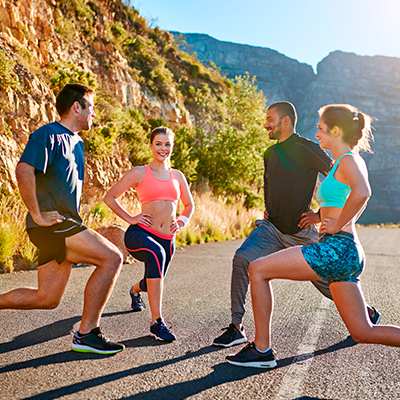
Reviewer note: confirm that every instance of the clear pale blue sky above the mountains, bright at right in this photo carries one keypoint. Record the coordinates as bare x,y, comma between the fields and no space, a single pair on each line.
306,30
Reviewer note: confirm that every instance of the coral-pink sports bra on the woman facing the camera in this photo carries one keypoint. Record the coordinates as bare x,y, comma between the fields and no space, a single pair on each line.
152,188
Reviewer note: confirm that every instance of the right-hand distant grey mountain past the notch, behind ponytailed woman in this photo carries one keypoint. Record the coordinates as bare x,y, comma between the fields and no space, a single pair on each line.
372,84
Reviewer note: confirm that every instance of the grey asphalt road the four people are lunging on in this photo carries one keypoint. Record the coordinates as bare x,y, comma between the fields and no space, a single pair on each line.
316,357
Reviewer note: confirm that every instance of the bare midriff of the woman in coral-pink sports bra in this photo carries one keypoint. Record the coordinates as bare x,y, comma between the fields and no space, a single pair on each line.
163,212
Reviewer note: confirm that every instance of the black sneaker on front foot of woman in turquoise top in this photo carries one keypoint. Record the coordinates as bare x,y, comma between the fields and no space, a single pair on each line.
249,356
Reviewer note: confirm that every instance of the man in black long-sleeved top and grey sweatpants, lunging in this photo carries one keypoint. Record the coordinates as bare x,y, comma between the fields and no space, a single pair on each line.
291,171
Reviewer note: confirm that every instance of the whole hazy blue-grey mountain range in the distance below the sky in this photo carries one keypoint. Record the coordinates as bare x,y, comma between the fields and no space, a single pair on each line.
372,84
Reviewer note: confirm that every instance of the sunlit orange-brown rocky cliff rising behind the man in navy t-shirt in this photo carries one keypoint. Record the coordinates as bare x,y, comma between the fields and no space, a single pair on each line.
30,36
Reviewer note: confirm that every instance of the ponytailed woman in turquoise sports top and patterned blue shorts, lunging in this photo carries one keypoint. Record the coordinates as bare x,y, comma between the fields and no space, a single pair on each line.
338,258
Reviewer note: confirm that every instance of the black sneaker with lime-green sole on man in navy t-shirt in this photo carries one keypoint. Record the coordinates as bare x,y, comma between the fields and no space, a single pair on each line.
95,342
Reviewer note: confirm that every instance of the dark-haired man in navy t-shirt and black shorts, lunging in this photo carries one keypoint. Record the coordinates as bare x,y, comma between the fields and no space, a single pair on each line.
50,178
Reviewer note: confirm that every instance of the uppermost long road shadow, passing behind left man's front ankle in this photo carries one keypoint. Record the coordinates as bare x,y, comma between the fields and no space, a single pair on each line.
46,333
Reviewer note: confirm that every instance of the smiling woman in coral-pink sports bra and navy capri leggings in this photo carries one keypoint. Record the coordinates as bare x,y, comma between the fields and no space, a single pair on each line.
151,235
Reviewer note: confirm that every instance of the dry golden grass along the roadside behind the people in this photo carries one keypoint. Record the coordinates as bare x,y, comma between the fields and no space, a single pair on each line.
215,219
